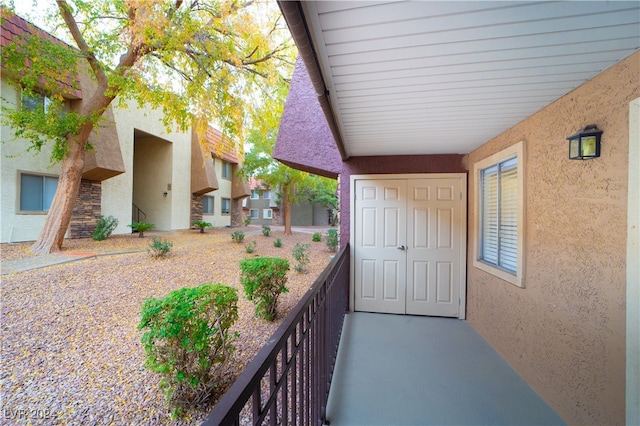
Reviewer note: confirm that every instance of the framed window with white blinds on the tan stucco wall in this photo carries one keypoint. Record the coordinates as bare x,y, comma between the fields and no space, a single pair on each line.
499,183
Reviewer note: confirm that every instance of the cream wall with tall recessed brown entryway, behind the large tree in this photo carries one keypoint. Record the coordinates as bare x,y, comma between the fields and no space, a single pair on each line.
162,161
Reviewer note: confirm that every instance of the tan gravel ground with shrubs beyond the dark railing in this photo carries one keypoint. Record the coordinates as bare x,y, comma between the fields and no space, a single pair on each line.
71,351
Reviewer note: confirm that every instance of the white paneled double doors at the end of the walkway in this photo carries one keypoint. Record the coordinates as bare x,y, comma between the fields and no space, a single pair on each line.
409,245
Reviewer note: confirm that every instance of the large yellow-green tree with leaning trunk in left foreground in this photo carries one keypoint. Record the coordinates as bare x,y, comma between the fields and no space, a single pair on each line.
199,61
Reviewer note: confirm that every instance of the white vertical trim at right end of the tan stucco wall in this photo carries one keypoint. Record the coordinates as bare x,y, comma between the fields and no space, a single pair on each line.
633,269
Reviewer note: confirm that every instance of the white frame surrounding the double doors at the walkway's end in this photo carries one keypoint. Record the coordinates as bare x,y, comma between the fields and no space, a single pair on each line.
463,225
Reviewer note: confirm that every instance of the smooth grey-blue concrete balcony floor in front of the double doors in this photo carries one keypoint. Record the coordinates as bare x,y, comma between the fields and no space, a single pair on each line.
409,370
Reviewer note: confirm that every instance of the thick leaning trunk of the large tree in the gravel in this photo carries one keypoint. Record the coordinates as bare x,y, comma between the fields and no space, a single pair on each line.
59,215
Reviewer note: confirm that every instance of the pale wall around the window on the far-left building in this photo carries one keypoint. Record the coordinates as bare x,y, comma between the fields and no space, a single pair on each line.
14,158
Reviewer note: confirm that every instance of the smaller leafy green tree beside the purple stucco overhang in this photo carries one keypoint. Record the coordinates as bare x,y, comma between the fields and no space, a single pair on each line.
293,185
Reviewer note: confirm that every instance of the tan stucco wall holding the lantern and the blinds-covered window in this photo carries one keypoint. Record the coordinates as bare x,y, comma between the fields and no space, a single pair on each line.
565,331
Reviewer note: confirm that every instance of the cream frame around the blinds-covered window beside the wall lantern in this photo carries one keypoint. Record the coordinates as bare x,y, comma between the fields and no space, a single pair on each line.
518,151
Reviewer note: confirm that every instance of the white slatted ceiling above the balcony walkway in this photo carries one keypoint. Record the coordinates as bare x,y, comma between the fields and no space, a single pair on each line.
432,77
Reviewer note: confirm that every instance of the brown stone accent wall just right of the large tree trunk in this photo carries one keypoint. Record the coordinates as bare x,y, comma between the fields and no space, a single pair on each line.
86,210
